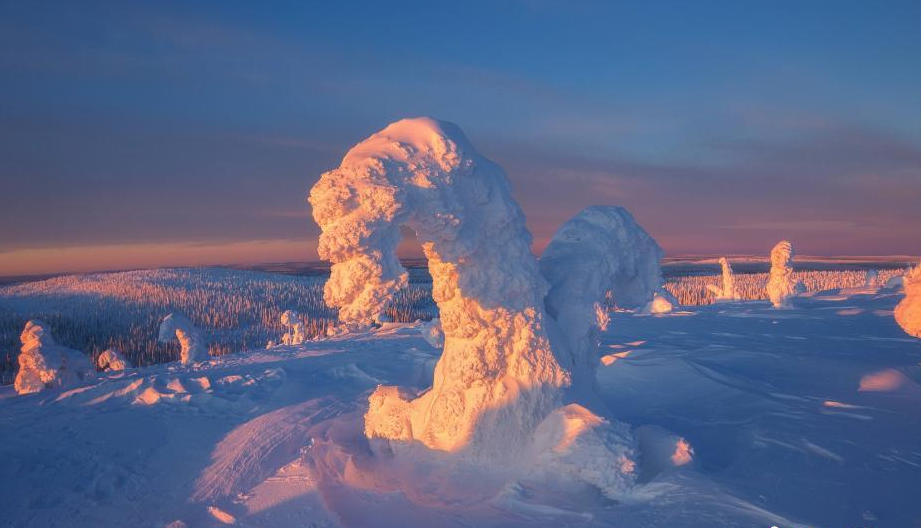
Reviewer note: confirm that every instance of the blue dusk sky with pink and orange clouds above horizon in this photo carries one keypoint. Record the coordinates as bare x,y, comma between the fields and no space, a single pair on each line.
143,134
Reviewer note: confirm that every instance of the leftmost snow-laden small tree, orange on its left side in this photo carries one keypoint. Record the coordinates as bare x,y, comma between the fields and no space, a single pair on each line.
45,364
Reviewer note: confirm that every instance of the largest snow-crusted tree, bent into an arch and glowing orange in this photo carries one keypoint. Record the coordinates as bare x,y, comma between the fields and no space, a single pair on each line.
497,377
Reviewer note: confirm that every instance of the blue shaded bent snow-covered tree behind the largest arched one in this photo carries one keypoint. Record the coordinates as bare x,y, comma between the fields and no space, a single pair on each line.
600,250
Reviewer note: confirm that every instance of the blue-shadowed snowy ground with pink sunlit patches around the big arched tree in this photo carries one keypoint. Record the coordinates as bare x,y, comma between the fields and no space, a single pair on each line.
802,417
